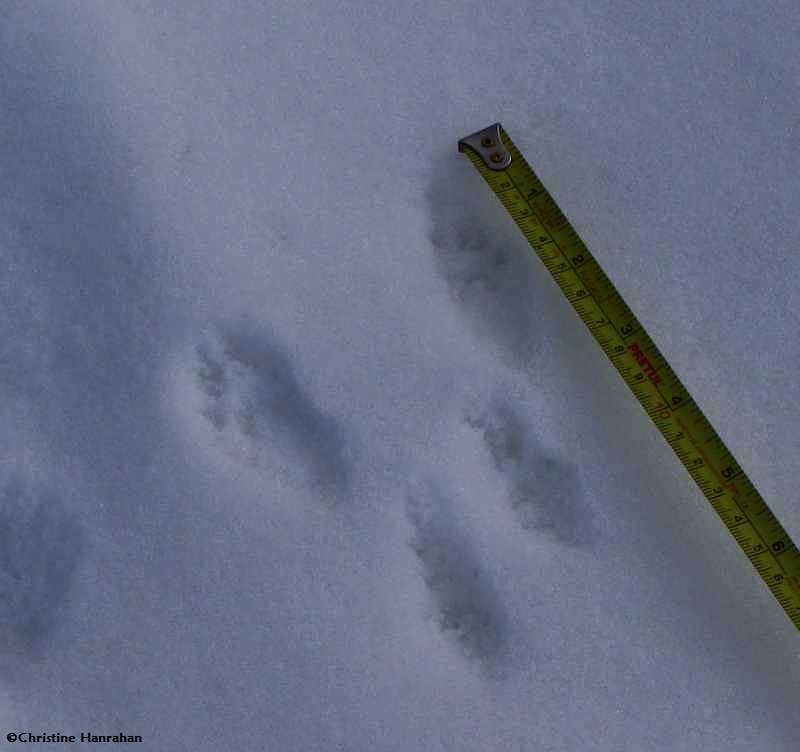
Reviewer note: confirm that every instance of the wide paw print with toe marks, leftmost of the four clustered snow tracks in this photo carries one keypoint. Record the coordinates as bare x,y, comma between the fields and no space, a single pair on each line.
252,396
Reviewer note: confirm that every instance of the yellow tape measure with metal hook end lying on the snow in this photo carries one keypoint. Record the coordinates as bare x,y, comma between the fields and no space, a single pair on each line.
644,369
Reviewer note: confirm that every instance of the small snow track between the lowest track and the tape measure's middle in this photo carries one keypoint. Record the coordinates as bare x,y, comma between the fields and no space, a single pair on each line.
544,488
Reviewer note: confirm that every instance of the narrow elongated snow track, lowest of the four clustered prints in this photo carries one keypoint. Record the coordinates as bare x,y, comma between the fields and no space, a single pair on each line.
467,604
